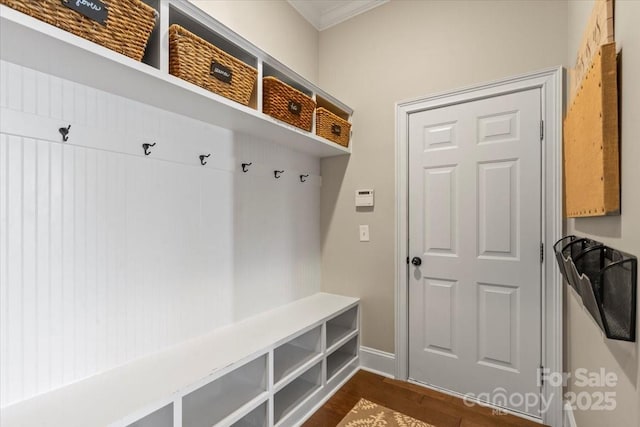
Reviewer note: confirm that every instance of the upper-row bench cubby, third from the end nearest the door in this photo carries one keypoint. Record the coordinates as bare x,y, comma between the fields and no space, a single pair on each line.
213,402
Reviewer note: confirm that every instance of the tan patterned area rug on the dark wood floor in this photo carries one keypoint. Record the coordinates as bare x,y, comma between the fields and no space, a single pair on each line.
369,414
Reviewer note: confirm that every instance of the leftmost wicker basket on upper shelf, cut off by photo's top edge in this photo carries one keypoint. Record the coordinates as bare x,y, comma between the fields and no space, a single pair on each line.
126,30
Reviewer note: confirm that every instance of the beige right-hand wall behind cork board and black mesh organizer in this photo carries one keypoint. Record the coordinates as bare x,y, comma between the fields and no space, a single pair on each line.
585,345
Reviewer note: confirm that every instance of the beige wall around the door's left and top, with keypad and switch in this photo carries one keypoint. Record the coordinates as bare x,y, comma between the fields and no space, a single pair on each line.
407,49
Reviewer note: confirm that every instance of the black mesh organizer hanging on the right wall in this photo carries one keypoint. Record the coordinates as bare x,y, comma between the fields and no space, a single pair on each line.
606,280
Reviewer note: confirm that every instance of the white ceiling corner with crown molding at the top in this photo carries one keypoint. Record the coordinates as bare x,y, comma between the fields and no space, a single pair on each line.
323,14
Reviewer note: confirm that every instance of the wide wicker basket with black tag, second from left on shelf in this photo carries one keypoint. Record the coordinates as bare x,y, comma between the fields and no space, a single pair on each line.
201,63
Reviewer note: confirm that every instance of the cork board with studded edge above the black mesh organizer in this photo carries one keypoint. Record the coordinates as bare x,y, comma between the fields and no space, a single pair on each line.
591,160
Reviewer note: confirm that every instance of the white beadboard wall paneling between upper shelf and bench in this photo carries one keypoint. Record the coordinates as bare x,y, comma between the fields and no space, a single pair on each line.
107,255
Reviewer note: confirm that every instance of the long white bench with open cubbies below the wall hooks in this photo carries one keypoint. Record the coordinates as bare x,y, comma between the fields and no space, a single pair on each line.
272,369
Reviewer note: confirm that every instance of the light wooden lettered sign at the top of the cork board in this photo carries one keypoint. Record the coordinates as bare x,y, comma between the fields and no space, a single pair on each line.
599,31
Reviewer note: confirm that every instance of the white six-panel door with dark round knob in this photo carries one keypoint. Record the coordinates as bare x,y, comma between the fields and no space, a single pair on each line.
475,233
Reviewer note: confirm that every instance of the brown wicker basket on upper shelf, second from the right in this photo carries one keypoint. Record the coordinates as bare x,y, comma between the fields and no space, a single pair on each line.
285,103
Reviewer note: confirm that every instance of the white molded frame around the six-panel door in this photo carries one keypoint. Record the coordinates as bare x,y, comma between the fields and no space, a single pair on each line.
550,83
